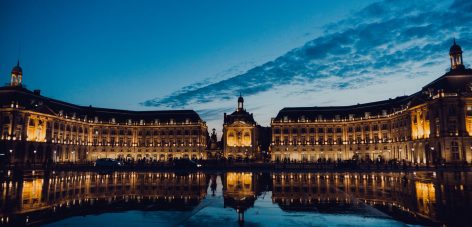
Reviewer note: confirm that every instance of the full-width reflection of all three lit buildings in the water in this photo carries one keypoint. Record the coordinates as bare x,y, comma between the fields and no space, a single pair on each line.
42,197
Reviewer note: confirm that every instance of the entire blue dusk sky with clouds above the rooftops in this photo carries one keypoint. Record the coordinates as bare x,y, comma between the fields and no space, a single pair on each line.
148,55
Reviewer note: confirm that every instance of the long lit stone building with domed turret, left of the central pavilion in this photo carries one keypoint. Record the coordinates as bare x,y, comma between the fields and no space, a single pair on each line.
37,129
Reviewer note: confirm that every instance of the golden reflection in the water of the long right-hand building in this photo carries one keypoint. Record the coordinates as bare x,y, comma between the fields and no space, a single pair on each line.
440,197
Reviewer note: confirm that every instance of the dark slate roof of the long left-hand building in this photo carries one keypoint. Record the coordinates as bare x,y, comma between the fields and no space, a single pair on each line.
35,102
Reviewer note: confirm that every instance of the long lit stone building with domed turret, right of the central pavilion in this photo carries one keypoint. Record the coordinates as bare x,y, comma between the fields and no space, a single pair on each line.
430,127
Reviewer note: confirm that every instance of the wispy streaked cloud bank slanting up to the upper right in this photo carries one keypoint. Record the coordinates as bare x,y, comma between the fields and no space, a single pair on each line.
385,40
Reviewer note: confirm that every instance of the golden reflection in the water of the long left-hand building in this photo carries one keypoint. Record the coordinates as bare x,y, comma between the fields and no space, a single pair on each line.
77,193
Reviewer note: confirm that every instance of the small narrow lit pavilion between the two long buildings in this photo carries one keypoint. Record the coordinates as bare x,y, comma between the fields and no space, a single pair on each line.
240,134
